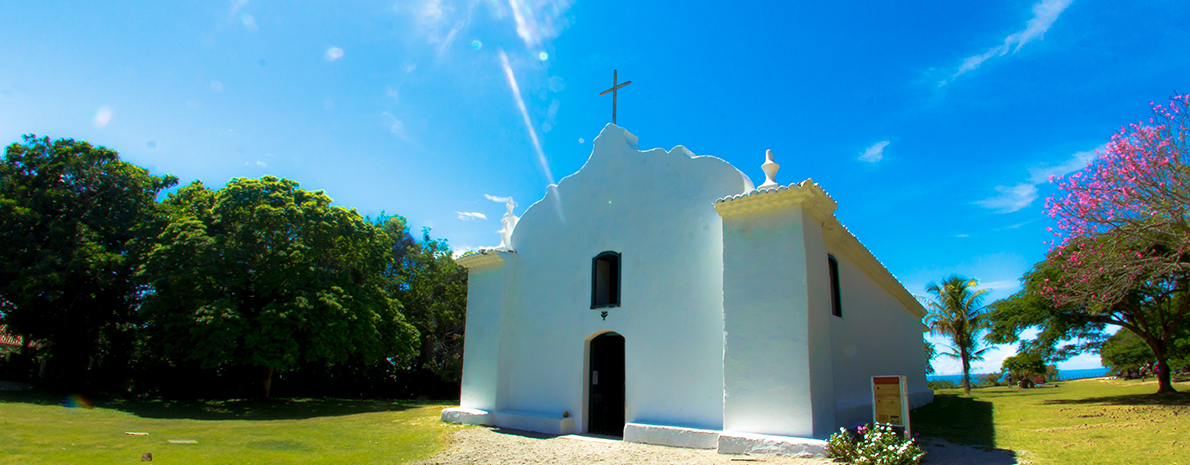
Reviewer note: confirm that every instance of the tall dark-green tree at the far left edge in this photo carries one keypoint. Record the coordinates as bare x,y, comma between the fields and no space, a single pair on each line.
76,223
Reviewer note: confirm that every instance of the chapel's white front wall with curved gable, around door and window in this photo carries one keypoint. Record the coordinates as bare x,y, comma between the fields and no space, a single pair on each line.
655,209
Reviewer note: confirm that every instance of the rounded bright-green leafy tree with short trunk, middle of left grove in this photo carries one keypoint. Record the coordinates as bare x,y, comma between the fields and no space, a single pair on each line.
267,275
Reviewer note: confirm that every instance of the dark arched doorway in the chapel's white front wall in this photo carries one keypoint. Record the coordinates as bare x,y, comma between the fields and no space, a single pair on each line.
605,382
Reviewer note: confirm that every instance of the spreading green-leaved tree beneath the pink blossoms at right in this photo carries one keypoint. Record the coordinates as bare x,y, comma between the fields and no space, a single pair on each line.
1064,299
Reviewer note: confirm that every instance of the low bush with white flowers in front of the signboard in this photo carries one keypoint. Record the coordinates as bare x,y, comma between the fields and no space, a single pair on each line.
874,445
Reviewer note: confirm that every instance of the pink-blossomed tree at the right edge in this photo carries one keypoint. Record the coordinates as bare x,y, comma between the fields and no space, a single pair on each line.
1122,254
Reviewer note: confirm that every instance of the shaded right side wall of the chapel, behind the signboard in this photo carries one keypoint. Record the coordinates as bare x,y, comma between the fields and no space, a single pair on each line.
876,336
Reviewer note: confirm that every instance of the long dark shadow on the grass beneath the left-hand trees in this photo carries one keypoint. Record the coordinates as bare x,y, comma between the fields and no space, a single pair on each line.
222,410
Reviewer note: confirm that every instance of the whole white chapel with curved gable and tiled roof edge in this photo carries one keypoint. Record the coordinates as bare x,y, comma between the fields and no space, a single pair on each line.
662,298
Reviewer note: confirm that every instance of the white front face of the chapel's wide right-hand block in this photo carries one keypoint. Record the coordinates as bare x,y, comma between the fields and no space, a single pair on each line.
767,374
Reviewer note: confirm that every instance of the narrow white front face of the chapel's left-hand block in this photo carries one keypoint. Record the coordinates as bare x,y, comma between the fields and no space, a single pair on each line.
485,290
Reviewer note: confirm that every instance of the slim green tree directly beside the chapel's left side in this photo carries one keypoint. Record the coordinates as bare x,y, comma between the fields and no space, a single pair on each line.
433,290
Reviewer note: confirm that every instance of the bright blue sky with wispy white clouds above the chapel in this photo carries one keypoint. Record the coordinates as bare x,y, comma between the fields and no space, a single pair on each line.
935,125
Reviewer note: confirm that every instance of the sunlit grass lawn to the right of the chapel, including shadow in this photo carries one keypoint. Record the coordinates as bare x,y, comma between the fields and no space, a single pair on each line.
1091,422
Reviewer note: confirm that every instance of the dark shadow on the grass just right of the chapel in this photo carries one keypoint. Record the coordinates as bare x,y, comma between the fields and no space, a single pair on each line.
956,419
